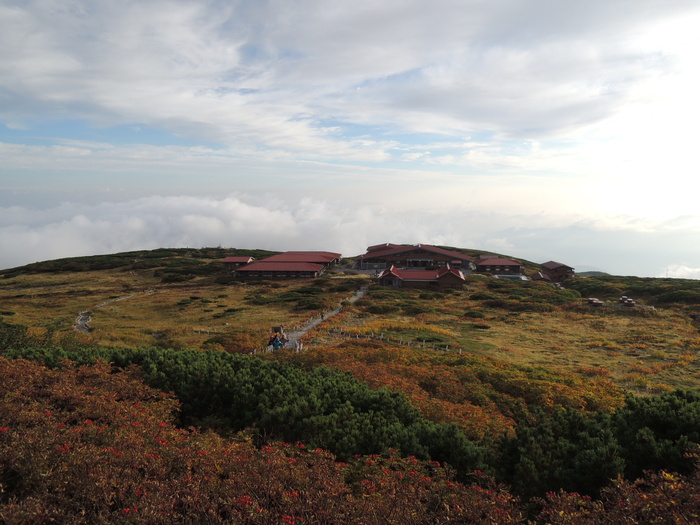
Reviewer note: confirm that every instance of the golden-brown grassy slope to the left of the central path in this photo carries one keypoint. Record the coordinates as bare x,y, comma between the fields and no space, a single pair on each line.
130,305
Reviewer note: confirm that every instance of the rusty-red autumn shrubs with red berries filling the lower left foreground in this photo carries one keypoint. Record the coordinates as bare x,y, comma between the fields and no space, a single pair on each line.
87,445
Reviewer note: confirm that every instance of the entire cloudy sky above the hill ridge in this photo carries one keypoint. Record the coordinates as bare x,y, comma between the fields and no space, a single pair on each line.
539,129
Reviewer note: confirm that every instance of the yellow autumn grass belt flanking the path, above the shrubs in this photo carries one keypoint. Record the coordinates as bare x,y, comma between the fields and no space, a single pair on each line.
132,308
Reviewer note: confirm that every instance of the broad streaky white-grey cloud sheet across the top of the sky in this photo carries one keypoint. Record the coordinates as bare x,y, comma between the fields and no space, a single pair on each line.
261,76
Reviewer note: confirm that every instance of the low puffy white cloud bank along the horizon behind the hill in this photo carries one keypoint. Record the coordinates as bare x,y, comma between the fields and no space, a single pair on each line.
267,222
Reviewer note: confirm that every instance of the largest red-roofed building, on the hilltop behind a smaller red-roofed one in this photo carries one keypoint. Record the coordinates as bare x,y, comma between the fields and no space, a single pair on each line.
419,256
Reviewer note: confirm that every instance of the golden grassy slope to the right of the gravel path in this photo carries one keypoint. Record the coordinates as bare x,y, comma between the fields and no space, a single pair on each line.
640,351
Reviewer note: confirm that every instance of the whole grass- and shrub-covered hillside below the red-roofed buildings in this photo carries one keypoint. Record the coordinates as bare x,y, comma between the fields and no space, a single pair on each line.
142,387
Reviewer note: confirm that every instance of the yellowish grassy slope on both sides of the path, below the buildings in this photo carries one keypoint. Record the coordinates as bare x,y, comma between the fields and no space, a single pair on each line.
529,324
